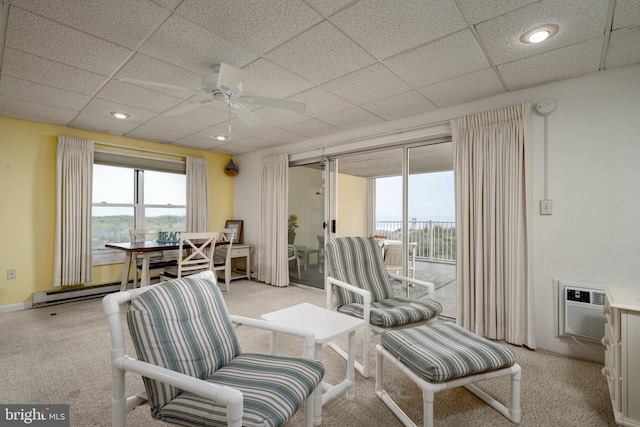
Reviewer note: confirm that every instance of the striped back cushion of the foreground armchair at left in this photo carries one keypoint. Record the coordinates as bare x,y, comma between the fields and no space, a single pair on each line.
182,325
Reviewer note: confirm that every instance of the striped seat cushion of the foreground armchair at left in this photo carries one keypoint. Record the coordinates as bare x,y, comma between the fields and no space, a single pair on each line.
273,388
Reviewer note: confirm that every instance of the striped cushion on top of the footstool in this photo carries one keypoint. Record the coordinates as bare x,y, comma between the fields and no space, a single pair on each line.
446,351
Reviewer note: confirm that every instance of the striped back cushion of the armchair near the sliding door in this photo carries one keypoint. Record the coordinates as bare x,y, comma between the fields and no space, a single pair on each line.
358,261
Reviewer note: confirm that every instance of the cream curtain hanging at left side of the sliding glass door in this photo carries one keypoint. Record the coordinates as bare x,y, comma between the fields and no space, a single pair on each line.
273,256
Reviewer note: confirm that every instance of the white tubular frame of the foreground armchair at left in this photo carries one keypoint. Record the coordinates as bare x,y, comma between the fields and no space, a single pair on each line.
121,362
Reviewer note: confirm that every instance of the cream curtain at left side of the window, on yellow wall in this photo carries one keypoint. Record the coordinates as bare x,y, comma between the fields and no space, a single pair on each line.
74,181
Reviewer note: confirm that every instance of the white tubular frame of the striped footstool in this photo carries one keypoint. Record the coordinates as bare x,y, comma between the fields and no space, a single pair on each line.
513,413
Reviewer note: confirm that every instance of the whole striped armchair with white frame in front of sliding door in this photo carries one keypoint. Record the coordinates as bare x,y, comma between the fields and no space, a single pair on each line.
358,284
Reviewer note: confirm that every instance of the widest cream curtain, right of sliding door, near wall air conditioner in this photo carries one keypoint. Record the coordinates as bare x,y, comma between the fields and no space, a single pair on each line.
492,185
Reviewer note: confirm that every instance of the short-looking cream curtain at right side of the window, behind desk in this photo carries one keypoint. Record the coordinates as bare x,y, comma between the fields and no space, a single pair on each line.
197,194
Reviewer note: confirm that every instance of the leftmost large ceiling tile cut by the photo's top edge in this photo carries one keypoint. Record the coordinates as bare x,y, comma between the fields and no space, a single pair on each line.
125,22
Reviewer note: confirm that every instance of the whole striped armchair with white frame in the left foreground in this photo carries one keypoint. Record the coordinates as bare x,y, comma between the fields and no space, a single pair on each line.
193,369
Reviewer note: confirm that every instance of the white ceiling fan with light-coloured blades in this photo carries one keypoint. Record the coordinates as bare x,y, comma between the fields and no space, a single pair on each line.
224,84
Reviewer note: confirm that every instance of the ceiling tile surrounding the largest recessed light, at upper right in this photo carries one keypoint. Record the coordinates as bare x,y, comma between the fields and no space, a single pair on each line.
578,21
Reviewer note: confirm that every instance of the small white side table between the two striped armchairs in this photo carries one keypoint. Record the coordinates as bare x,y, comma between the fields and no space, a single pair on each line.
327,325
